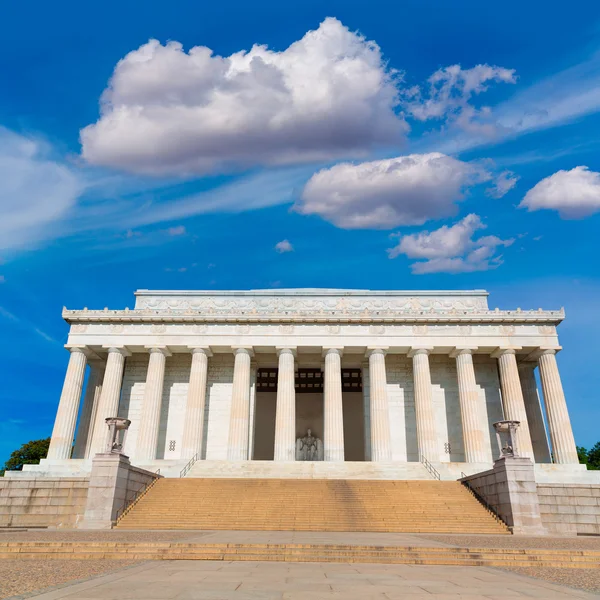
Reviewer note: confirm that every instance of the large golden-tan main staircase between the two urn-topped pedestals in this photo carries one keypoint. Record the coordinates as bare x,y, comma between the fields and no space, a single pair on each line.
310,505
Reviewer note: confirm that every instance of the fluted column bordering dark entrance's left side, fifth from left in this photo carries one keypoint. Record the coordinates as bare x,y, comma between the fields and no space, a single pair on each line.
239,422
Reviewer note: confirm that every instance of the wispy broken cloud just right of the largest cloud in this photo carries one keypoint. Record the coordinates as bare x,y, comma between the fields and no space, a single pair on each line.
449,96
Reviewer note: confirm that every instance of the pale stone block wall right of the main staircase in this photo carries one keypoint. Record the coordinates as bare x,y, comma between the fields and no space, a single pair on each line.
569,509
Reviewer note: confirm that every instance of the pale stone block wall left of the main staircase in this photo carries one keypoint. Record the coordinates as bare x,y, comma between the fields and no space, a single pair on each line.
42,502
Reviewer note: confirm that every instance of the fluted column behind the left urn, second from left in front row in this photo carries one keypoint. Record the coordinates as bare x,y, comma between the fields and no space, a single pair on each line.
109,398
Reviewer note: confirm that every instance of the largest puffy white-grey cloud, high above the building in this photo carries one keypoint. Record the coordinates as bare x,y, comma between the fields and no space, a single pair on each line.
329,95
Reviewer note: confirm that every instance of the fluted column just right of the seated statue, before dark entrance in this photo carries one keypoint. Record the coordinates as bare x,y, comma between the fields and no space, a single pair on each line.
333,414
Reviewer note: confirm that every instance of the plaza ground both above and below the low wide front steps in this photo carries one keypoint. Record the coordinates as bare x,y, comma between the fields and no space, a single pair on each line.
121,579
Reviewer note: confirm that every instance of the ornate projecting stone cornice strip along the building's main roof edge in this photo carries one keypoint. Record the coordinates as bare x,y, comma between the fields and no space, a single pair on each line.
431,316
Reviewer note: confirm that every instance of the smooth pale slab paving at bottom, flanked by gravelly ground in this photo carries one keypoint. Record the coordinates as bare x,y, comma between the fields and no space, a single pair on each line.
216,580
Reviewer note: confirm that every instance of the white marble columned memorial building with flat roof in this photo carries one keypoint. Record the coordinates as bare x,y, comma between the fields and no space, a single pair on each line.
383,378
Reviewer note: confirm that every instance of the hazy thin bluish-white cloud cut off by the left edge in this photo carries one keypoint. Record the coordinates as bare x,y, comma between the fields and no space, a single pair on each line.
34,190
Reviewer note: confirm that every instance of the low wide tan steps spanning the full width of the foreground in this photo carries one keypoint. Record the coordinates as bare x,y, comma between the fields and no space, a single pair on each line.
493,557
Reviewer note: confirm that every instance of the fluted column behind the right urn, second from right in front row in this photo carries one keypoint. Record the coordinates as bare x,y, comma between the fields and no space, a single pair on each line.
512,399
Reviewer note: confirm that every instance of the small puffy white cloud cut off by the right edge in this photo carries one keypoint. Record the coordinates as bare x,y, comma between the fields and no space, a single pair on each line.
574,194
